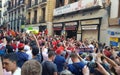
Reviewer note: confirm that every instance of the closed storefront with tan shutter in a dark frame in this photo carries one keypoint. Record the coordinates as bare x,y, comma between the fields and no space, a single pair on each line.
90,29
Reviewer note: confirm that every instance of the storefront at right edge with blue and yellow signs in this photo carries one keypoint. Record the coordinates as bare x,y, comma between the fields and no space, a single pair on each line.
114,32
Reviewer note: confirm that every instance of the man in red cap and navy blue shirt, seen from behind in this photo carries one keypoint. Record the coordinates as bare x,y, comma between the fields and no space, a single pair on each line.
22,56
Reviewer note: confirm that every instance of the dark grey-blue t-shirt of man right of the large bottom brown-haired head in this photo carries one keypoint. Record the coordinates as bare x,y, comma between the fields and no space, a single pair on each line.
49,68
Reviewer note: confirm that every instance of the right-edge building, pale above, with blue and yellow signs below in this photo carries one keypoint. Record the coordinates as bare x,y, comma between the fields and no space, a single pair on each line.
114,24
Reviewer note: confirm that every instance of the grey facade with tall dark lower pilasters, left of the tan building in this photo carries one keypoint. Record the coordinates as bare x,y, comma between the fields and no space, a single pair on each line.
16,14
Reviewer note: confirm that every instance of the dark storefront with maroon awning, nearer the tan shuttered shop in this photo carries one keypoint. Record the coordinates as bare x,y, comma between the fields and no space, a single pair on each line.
71,29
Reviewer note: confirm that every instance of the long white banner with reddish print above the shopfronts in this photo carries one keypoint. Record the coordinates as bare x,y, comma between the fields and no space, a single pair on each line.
82,4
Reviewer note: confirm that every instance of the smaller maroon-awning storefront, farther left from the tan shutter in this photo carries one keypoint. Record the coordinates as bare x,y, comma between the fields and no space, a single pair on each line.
57,28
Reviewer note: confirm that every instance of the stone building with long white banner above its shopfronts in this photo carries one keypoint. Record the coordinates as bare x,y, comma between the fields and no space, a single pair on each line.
82,19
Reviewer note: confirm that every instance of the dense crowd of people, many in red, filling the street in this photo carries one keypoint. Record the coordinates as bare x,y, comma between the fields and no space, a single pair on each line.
37,54
